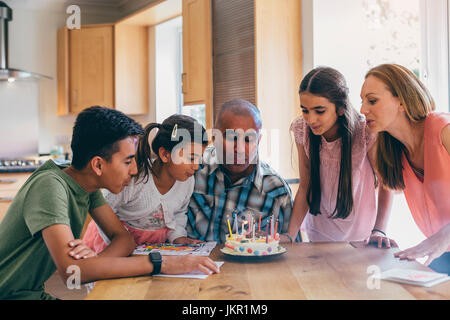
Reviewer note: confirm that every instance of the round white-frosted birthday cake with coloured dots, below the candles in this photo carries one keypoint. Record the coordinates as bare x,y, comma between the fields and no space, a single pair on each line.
259,245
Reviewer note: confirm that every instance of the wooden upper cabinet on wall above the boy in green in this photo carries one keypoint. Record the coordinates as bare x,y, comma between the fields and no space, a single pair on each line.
104,65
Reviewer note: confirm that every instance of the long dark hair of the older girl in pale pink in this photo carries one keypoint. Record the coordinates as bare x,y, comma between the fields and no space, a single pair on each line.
330,84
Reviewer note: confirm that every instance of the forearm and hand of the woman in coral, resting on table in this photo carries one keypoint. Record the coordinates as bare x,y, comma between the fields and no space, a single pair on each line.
433,247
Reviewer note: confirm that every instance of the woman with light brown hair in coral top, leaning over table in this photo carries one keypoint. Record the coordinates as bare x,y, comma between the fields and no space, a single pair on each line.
413,154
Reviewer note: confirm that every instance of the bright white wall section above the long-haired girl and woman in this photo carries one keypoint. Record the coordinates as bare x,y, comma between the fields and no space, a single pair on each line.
353,36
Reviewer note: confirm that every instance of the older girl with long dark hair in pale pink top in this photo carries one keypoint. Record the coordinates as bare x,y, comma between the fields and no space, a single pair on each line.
337,182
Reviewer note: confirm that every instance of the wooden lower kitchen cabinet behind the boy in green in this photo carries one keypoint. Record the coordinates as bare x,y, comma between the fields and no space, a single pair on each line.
10,183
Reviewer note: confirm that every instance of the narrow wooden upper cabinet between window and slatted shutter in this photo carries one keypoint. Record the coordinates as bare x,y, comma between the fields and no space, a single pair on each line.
197,55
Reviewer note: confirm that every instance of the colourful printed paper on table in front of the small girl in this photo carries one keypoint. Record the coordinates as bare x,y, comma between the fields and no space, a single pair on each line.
168,249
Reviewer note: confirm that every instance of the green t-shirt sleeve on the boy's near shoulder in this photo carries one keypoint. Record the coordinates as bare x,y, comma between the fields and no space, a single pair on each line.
46,204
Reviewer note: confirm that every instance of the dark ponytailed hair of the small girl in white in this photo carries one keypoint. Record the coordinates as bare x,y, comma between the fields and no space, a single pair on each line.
174,132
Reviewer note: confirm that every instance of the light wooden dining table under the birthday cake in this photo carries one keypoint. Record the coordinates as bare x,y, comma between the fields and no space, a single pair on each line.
338,270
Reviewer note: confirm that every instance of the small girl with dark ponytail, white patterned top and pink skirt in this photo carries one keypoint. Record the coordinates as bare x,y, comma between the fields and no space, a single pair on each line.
153,206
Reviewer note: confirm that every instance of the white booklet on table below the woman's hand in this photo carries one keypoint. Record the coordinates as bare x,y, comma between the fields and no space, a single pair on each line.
414,277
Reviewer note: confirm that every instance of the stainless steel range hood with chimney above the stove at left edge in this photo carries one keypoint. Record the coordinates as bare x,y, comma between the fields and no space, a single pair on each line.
6,73
